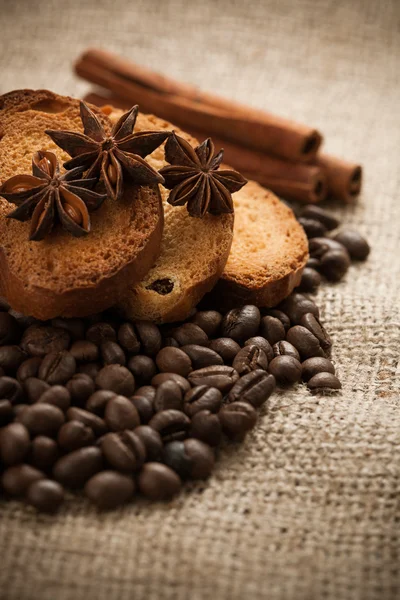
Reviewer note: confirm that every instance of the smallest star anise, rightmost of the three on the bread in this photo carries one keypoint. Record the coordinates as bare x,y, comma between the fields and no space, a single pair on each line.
195,180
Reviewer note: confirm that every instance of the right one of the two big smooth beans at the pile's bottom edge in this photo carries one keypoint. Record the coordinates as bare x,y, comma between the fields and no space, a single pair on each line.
158,482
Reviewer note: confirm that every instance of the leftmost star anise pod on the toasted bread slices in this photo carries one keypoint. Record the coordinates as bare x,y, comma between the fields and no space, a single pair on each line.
48,196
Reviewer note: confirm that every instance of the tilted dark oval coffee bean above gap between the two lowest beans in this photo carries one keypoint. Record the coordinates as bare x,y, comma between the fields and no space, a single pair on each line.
76,468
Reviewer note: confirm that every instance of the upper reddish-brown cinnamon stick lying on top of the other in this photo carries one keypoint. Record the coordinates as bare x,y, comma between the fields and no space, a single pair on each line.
175,101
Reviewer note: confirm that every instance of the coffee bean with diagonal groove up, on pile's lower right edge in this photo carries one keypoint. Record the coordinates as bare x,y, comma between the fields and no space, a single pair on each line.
254,387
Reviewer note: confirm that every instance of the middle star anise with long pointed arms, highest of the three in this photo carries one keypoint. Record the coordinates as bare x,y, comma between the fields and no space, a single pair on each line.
111,155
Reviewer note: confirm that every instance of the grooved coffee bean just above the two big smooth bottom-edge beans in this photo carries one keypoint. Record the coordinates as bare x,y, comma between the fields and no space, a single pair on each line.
124,450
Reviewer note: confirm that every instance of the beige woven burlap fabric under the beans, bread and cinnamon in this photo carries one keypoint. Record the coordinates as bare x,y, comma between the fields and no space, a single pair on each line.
308,508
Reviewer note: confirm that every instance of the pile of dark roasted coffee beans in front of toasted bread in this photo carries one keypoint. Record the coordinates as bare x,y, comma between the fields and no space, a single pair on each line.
119,408
